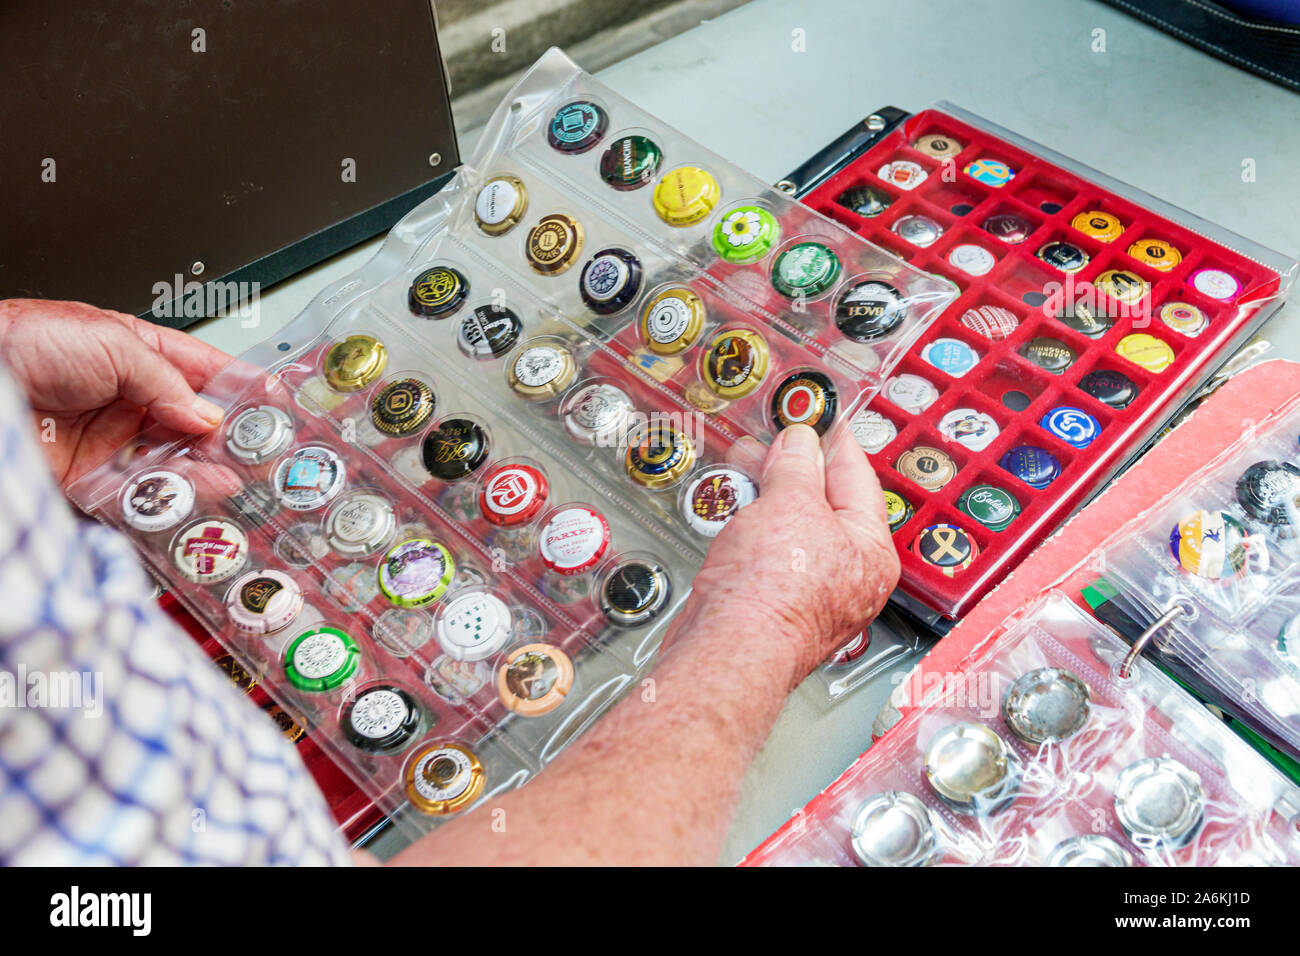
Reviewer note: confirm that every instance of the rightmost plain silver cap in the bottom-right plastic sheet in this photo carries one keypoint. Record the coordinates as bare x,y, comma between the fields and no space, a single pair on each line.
1159,802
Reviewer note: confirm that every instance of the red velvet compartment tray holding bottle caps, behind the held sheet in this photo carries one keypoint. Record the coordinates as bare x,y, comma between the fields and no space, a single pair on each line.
1050,198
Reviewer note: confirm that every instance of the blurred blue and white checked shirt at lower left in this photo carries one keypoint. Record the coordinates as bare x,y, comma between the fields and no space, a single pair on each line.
120,743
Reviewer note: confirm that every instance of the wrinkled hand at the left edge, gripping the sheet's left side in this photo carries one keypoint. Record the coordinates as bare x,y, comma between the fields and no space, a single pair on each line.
93,378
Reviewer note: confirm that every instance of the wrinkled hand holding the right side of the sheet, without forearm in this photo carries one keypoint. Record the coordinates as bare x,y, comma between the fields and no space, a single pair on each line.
813,556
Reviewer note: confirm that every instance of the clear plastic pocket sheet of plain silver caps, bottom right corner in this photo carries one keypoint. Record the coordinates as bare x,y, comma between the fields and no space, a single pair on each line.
1042,754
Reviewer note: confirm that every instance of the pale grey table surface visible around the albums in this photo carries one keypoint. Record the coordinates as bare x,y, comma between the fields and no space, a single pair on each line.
772,83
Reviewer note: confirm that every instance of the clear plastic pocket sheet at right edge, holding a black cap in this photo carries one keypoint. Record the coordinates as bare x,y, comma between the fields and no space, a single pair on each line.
1217,565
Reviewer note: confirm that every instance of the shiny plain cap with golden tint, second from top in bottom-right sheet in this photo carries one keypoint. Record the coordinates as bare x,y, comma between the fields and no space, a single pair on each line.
973,769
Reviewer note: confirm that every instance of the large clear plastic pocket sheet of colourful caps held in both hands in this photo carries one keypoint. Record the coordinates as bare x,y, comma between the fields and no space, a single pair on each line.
454,505
